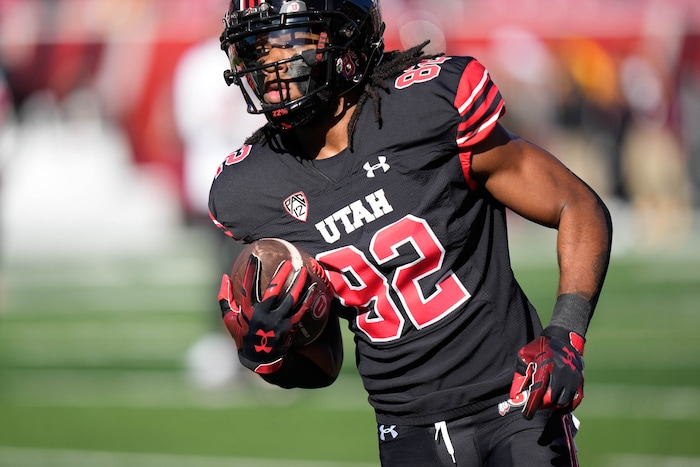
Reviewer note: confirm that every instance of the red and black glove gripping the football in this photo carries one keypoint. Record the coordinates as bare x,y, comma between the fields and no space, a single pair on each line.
263,323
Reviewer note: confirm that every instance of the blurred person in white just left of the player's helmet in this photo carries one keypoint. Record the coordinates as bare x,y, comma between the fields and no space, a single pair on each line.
210,120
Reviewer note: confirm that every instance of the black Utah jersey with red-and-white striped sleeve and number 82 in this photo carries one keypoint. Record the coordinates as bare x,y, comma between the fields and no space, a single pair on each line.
415,249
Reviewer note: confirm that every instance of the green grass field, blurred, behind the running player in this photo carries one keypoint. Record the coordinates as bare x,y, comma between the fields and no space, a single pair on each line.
92,372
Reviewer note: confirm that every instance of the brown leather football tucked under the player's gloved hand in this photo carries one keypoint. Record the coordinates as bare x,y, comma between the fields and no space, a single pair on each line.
271,252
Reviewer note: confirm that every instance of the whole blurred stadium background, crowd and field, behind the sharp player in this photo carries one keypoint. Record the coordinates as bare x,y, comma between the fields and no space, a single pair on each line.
113,118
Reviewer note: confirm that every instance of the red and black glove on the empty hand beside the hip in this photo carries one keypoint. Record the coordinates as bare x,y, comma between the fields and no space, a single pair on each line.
549,372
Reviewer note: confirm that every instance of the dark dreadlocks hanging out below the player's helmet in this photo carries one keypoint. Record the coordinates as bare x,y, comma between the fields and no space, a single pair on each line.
393,64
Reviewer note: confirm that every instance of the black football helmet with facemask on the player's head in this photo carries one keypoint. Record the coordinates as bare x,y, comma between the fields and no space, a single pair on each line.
347,42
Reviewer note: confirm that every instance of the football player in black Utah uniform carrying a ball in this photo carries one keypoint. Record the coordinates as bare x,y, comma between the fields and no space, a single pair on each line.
393,170
